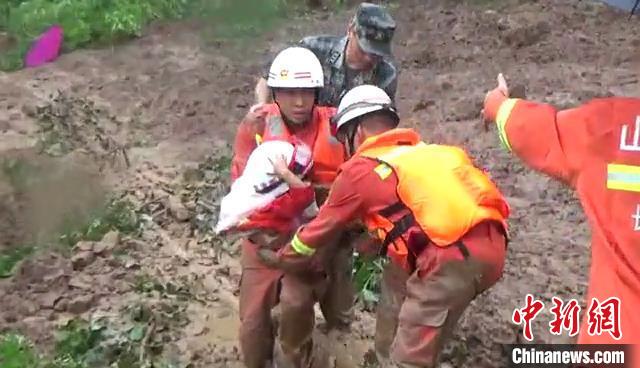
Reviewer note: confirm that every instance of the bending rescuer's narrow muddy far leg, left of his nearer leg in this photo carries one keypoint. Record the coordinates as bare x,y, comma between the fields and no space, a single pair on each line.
392,294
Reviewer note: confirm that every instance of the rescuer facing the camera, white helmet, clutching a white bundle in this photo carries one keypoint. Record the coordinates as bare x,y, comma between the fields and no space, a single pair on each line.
295,79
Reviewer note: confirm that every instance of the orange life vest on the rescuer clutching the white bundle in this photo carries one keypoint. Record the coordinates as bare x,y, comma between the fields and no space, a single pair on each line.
328,153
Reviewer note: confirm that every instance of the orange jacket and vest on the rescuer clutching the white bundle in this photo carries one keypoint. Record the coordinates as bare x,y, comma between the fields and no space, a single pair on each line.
328,153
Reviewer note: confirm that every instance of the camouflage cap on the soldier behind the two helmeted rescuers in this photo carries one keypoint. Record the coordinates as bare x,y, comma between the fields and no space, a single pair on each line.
374,27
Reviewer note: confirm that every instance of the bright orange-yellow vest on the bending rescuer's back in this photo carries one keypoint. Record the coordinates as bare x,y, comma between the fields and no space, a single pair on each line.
439,188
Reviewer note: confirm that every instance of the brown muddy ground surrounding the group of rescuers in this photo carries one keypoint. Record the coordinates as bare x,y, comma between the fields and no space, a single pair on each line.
152,119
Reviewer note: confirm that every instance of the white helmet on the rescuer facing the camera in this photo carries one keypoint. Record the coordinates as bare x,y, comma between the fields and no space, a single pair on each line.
296,67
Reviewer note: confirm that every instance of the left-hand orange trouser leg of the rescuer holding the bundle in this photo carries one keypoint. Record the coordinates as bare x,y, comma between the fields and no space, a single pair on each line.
258,295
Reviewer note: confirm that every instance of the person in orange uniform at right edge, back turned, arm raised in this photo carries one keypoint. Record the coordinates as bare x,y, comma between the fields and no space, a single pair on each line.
595,149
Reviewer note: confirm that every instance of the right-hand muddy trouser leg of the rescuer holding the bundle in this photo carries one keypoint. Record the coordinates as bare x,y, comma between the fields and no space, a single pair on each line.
295,347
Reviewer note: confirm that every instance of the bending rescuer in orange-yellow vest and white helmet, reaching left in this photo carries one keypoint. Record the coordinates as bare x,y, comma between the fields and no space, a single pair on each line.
440,220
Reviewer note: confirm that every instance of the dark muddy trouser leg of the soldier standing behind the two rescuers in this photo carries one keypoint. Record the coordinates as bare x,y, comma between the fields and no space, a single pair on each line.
337,302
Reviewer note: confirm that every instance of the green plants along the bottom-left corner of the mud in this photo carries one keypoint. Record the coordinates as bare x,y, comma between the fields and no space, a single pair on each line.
99,343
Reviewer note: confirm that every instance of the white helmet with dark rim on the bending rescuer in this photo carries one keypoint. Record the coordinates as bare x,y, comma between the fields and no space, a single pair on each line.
359,101
